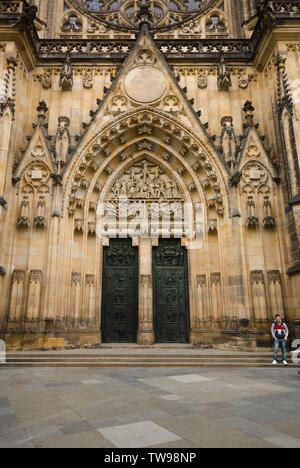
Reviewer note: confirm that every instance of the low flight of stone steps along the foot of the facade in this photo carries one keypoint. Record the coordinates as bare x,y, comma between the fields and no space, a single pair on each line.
140,357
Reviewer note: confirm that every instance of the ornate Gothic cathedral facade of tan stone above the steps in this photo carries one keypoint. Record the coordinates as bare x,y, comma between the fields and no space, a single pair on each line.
149,172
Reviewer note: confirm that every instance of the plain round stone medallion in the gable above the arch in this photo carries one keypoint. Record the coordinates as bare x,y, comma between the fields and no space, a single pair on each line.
145,84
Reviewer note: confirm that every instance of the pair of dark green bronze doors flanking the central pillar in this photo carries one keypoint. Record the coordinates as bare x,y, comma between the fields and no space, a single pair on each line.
120,292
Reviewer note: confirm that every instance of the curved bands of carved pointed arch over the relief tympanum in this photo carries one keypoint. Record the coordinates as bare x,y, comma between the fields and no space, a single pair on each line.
169,139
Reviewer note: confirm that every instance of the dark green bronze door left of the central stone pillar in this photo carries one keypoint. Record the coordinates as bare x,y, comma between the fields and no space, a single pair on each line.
120,292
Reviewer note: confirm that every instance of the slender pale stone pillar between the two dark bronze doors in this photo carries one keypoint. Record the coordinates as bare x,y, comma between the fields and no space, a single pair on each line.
145,329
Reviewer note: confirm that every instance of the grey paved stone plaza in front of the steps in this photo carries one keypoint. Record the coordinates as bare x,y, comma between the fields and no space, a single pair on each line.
157,408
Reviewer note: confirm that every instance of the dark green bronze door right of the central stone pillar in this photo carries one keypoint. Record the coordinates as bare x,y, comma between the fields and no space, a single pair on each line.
171,297
